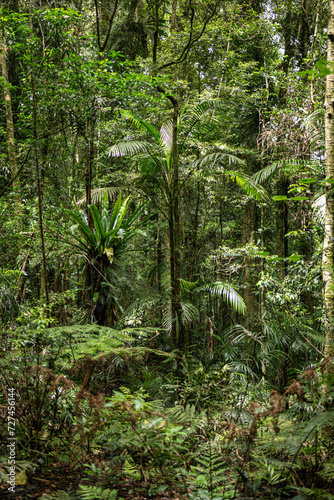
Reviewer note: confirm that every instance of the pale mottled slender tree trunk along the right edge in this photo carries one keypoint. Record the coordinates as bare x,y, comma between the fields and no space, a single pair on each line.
328,249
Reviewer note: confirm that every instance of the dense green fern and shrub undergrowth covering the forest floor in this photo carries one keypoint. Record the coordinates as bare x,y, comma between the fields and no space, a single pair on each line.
137,421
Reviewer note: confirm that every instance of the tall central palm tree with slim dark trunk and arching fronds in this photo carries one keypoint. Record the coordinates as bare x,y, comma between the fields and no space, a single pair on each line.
158,177
